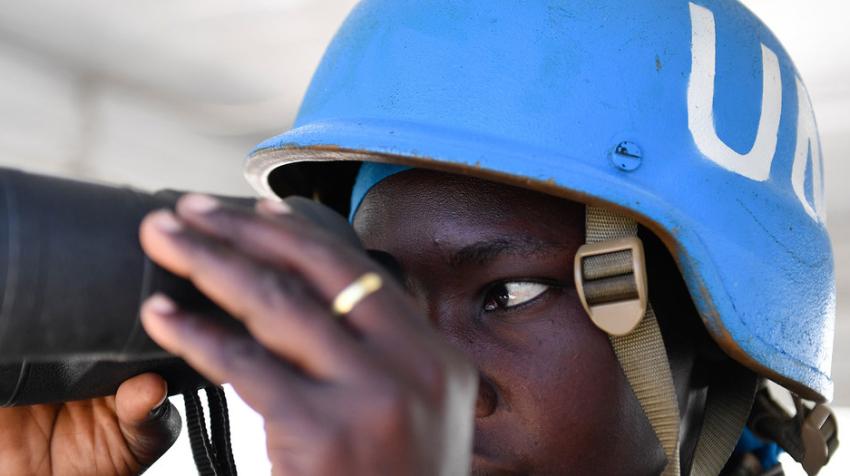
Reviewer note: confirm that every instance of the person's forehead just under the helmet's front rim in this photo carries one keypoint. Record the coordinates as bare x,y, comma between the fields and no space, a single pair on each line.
440,205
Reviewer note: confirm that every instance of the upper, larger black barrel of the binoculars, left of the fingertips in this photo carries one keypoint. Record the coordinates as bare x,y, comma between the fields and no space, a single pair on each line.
72,272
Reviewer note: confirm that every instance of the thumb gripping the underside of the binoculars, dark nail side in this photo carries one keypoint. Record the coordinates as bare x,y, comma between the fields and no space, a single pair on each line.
149,422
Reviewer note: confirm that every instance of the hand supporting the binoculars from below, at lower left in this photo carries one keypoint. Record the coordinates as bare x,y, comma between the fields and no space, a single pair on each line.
118,435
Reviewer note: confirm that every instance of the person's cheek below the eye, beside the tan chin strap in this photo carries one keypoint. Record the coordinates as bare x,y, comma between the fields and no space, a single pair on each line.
564,401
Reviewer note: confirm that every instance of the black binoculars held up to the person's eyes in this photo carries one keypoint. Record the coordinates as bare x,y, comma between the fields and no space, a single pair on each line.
72,279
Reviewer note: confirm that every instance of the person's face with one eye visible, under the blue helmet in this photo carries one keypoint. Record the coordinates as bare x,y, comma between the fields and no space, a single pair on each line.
492,264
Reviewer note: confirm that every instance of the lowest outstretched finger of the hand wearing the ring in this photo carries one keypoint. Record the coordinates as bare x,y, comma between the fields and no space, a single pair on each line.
222,356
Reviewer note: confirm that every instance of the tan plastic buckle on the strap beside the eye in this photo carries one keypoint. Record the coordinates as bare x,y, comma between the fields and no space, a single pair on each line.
611,282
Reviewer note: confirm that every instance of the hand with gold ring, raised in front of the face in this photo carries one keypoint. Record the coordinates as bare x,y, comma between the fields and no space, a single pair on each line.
376,391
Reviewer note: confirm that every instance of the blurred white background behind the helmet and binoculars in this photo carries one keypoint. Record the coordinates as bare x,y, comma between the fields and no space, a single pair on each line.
174,94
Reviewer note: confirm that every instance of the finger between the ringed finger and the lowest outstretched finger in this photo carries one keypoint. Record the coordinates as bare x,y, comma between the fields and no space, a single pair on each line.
278,308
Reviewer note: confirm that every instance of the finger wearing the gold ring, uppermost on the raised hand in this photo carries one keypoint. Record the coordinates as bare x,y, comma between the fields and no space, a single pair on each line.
292,242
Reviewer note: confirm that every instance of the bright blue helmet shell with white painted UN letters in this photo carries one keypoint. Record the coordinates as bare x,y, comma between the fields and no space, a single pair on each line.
690,116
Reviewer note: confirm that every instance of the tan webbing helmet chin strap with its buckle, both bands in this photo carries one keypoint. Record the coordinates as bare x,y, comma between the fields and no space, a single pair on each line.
611,282
